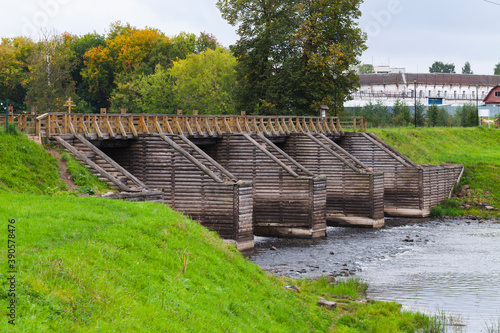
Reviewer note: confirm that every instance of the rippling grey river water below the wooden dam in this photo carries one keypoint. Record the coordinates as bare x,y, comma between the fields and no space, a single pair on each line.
433,266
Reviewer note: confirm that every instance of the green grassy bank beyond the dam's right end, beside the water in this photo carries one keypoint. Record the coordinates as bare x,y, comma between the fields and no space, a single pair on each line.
478,149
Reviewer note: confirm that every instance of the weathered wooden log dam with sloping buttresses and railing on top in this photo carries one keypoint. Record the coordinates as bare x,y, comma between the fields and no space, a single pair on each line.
251,175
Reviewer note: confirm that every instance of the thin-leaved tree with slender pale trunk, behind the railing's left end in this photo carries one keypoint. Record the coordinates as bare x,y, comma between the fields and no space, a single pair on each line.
50,83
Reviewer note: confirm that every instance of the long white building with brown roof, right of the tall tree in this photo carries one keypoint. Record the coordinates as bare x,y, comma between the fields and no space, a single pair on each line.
443,89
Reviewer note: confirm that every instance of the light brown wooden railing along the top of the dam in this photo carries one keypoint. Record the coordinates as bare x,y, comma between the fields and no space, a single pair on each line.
126,125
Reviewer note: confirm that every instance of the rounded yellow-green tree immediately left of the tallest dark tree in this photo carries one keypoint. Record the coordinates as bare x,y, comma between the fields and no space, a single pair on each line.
205,82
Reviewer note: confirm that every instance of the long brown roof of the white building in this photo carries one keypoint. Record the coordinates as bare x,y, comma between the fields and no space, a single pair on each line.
430,79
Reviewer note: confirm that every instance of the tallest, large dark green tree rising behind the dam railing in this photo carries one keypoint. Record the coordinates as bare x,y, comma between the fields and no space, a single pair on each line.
294,56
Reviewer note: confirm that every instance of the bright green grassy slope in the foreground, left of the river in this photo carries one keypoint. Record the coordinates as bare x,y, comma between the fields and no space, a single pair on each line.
91,264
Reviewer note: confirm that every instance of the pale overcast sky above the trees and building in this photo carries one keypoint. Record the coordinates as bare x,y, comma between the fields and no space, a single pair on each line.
401,33
